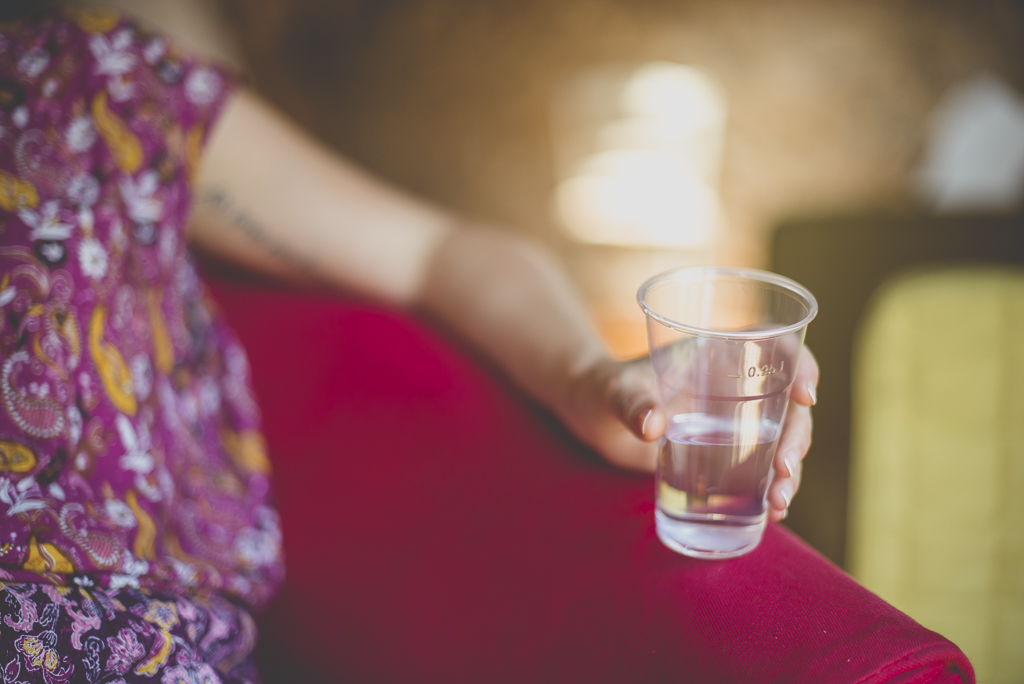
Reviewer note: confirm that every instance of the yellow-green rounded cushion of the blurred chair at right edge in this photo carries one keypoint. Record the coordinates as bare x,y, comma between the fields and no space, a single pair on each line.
936,521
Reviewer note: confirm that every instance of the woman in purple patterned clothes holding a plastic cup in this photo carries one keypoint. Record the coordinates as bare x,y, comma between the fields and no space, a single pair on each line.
139,537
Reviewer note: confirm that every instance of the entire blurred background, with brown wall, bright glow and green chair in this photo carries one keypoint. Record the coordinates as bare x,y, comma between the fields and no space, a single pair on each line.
872,150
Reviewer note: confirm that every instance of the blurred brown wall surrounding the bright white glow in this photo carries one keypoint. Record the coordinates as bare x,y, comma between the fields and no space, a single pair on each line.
826,105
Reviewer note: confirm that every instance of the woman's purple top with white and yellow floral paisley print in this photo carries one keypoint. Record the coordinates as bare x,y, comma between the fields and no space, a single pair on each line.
131,449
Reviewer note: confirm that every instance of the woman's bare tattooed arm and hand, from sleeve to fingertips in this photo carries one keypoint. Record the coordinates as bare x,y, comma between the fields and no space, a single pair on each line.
277,202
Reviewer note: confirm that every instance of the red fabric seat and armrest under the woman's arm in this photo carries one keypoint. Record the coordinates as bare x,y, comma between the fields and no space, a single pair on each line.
440,529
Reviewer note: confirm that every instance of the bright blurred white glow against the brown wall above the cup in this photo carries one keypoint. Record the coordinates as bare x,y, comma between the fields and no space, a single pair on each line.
639,152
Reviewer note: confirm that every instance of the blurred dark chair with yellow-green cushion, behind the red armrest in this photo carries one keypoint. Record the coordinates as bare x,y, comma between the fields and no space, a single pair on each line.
913,481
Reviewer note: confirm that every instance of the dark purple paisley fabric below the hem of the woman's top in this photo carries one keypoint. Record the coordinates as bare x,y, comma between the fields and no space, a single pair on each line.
60,635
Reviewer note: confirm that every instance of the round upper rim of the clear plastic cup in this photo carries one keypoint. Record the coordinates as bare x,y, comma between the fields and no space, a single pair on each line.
692,274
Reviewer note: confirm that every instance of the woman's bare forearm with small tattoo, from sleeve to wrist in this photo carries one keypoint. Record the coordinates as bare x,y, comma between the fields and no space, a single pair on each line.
274,200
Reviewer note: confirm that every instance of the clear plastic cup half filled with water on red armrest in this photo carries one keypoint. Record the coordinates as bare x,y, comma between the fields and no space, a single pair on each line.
724,344
